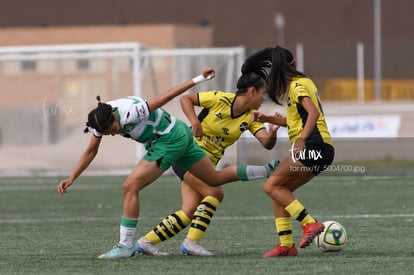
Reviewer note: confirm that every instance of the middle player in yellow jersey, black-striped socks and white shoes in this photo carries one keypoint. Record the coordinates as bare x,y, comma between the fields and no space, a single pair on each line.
224,117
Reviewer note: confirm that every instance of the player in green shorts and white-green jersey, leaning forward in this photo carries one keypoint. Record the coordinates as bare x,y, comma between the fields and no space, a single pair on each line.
167,141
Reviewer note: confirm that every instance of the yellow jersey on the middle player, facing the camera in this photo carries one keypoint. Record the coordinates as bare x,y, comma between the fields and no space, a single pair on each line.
221,128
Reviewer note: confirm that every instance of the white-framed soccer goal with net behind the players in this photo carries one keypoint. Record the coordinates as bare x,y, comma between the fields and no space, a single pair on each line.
47,92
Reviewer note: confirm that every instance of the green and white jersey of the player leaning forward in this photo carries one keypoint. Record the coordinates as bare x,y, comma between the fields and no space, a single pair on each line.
138,122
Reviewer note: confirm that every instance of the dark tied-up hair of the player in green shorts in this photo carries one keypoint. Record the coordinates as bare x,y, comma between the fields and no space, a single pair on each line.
99,118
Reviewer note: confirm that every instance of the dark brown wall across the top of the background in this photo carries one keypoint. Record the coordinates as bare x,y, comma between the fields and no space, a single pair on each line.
328,30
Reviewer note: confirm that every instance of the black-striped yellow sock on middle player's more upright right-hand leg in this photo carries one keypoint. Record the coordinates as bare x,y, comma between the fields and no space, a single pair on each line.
202,217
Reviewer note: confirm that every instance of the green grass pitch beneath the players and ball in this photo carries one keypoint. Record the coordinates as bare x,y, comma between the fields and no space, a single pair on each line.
42,232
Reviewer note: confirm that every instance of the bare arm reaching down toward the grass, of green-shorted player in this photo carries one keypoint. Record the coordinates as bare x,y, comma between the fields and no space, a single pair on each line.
86,158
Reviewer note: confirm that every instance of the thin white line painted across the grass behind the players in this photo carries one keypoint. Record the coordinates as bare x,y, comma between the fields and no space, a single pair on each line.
359,216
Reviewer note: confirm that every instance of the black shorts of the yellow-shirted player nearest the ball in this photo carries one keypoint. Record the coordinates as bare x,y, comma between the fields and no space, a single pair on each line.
317,157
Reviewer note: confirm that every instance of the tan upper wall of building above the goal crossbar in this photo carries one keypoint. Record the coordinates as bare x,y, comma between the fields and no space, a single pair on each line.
155,35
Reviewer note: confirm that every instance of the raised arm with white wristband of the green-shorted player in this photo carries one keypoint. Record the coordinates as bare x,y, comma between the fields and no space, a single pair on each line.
164,98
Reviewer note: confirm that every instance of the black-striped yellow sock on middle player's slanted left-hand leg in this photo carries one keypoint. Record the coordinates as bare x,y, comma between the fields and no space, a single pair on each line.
168,227
